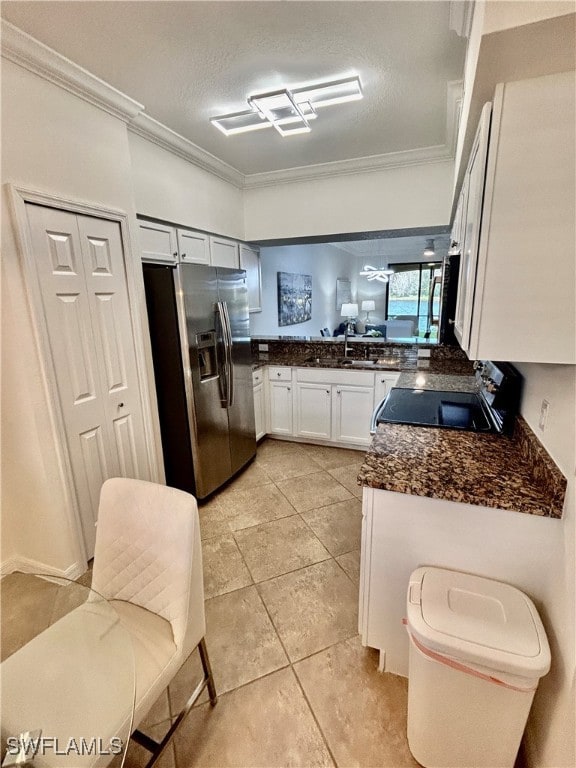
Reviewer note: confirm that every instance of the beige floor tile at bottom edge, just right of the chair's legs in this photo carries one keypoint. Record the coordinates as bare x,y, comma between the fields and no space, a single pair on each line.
265,724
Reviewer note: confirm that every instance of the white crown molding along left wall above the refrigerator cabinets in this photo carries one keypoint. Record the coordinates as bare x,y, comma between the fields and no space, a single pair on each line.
150,129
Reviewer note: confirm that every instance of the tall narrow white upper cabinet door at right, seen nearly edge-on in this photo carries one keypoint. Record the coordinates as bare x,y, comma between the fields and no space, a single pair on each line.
472,219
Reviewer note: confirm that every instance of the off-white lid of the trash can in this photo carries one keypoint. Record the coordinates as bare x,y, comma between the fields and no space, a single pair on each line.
478,620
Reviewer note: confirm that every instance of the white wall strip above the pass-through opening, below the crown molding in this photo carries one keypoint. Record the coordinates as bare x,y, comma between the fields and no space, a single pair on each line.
395,198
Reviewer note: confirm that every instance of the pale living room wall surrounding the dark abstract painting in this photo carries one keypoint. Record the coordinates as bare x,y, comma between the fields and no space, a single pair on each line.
325,263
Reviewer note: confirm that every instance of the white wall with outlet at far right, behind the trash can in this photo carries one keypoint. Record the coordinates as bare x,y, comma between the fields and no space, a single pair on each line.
550,734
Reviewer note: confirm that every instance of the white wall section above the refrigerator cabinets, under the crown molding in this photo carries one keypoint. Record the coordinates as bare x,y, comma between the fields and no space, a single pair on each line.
170,188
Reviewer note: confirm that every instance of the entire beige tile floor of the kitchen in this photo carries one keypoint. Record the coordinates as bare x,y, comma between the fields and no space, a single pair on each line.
281,549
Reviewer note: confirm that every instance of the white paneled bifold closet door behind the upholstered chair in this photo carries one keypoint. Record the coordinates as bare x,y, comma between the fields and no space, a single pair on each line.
80,264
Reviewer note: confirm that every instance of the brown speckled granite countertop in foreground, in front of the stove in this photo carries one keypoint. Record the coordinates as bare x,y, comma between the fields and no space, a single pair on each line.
511,473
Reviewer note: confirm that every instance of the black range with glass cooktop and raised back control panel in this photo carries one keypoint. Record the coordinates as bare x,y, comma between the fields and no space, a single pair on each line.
491,408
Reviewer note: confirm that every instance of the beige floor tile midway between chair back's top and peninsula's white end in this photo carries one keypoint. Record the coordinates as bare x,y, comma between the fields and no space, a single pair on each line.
279,546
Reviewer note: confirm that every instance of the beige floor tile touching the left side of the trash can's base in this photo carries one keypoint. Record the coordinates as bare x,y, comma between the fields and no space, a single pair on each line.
361,712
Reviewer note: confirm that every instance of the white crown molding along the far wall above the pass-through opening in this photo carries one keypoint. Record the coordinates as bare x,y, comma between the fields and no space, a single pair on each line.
424,155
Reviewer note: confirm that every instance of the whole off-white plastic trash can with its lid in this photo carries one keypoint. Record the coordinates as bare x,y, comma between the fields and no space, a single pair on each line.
477,652
